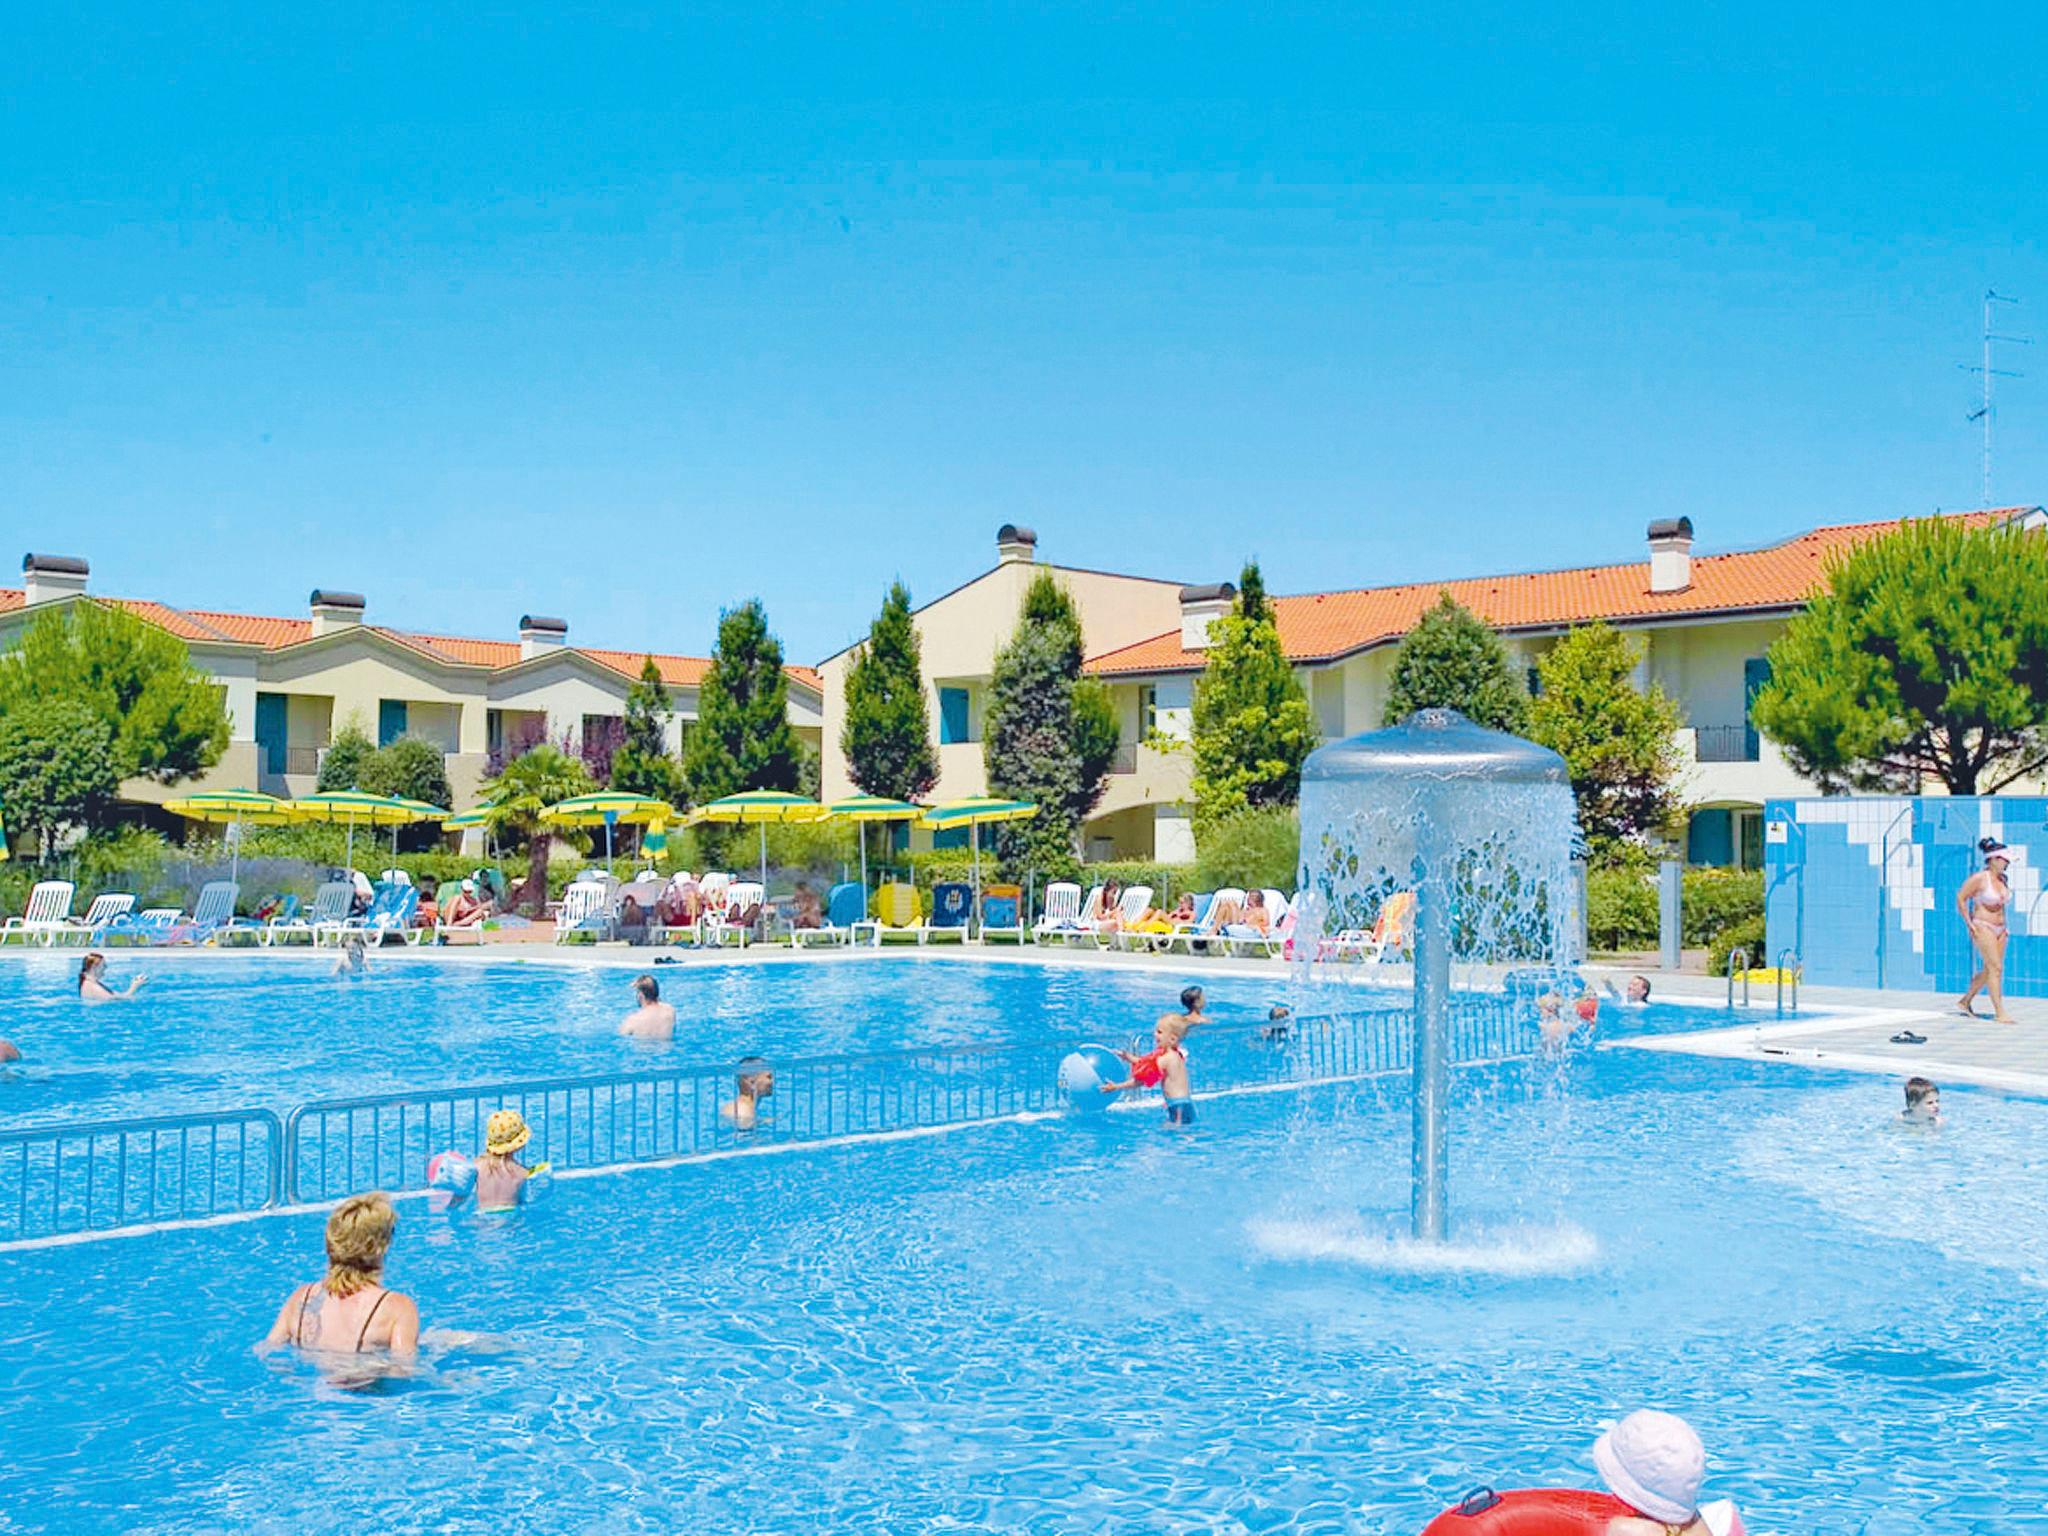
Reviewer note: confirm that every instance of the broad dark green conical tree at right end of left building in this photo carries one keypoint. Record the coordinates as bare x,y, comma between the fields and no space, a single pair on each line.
742,736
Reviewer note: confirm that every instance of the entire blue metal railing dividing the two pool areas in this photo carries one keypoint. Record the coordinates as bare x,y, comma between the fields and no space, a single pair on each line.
99,1177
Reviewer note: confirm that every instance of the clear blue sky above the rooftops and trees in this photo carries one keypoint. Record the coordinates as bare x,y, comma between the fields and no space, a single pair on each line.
628,316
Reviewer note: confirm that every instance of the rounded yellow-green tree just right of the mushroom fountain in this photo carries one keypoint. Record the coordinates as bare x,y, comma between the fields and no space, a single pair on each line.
1617,740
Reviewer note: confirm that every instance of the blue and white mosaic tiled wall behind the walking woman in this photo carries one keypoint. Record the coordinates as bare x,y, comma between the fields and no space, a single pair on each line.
1865,888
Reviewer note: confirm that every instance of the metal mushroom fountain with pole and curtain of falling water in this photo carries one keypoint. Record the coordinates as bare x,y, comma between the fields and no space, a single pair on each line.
1480,828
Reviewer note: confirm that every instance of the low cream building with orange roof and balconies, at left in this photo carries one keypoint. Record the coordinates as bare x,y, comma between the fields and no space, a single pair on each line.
292,685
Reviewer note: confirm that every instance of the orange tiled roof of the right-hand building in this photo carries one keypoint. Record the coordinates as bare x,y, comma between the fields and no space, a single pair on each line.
1326,626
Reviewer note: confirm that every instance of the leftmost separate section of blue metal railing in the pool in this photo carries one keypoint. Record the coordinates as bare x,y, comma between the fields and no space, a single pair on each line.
99,1177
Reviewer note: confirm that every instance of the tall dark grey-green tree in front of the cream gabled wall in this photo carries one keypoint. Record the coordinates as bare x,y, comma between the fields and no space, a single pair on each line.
1050,734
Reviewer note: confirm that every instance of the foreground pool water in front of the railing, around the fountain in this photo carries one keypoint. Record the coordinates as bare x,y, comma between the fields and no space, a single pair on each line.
1074,1326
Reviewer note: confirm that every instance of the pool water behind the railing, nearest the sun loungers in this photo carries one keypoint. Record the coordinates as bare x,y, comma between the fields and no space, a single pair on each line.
245,1031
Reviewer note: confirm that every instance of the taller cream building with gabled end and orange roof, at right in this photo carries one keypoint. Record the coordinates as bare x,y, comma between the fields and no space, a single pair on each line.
1707,624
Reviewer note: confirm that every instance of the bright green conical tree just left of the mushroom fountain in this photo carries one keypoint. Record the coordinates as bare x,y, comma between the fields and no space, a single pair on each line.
1252,726
